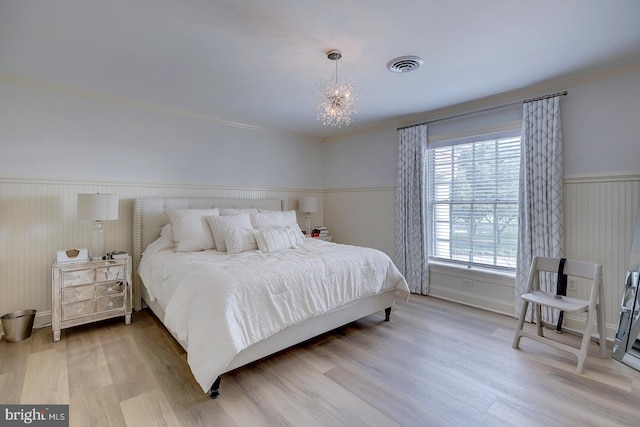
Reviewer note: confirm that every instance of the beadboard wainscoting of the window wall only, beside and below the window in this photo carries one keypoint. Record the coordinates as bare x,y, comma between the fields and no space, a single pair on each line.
599,221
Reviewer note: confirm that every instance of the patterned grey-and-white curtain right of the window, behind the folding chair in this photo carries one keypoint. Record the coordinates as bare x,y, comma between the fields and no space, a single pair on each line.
540,205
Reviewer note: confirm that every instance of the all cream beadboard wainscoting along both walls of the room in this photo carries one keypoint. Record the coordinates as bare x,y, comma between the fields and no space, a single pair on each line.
38,217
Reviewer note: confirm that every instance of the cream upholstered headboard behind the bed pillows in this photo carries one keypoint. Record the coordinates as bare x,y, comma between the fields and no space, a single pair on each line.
149,217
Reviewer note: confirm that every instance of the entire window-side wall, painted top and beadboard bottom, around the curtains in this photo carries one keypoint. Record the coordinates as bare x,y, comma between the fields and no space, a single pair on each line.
601,129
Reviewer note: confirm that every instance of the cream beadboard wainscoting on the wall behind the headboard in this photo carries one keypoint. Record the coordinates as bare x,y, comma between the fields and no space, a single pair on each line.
37,218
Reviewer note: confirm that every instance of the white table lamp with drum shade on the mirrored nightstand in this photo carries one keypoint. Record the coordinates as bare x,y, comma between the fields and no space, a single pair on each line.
98,208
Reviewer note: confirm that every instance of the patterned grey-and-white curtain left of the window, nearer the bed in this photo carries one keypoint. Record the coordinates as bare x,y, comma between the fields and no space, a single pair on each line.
411,208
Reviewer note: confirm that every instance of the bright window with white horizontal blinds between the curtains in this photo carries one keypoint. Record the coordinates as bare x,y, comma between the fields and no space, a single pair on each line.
473,201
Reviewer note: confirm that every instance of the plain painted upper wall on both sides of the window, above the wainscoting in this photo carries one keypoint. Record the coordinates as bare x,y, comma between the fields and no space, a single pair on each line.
600,125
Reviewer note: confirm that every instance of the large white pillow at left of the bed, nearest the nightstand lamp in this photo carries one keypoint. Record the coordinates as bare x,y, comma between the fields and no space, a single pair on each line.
190,229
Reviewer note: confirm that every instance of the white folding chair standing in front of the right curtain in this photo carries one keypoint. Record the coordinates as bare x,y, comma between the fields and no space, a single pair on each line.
594,306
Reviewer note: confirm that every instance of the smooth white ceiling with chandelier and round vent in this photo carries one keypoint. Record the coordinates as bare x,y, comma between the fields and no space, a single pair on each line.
258,62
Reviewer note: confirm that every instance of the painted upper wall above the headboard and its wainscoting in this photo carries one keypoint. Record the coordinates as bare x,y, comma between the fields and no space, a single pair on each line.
65,134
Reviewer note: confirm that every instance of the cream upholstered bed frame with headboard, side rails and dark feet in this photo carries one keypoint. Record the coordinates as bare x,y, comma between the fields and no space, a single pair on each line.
149,217
